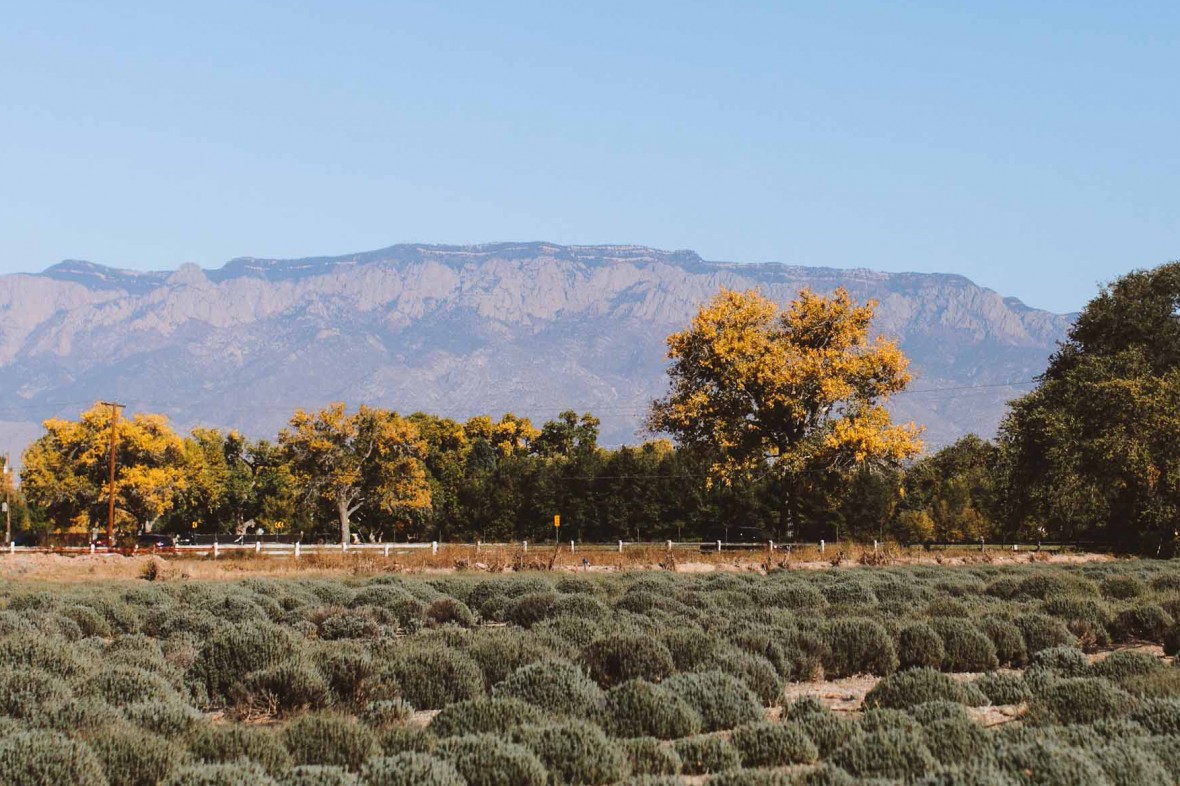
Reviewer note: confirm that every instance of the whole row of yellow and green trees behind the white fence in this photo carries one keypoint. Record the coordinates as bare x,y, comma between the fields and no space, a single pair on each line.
773,428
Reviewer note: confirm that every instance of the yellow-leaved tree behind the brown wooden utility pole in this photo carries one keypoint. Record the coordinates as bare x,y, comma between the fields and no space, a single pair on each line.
67,471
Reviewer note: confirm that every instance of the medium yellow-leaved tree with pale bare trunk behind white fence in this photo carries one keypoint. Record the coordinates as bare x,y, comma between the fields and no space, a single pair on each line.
371,460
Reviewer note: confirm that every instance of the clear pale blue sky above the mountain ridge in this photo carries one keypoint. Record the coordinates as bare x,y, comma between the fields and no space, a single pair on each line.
1033,147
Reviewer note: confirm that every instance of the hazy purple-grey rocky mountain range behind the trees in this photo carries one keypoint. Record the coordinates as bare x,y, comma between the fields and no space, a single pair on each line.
530,329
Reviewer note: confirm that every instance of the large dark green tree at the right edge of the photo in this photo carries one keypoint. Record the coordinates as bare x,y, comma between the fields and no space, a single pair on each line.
1093,454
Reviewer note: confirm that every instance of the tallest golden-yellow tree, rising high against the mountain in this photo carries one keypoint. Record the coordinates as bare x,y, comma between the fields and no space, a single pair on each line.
796,392
